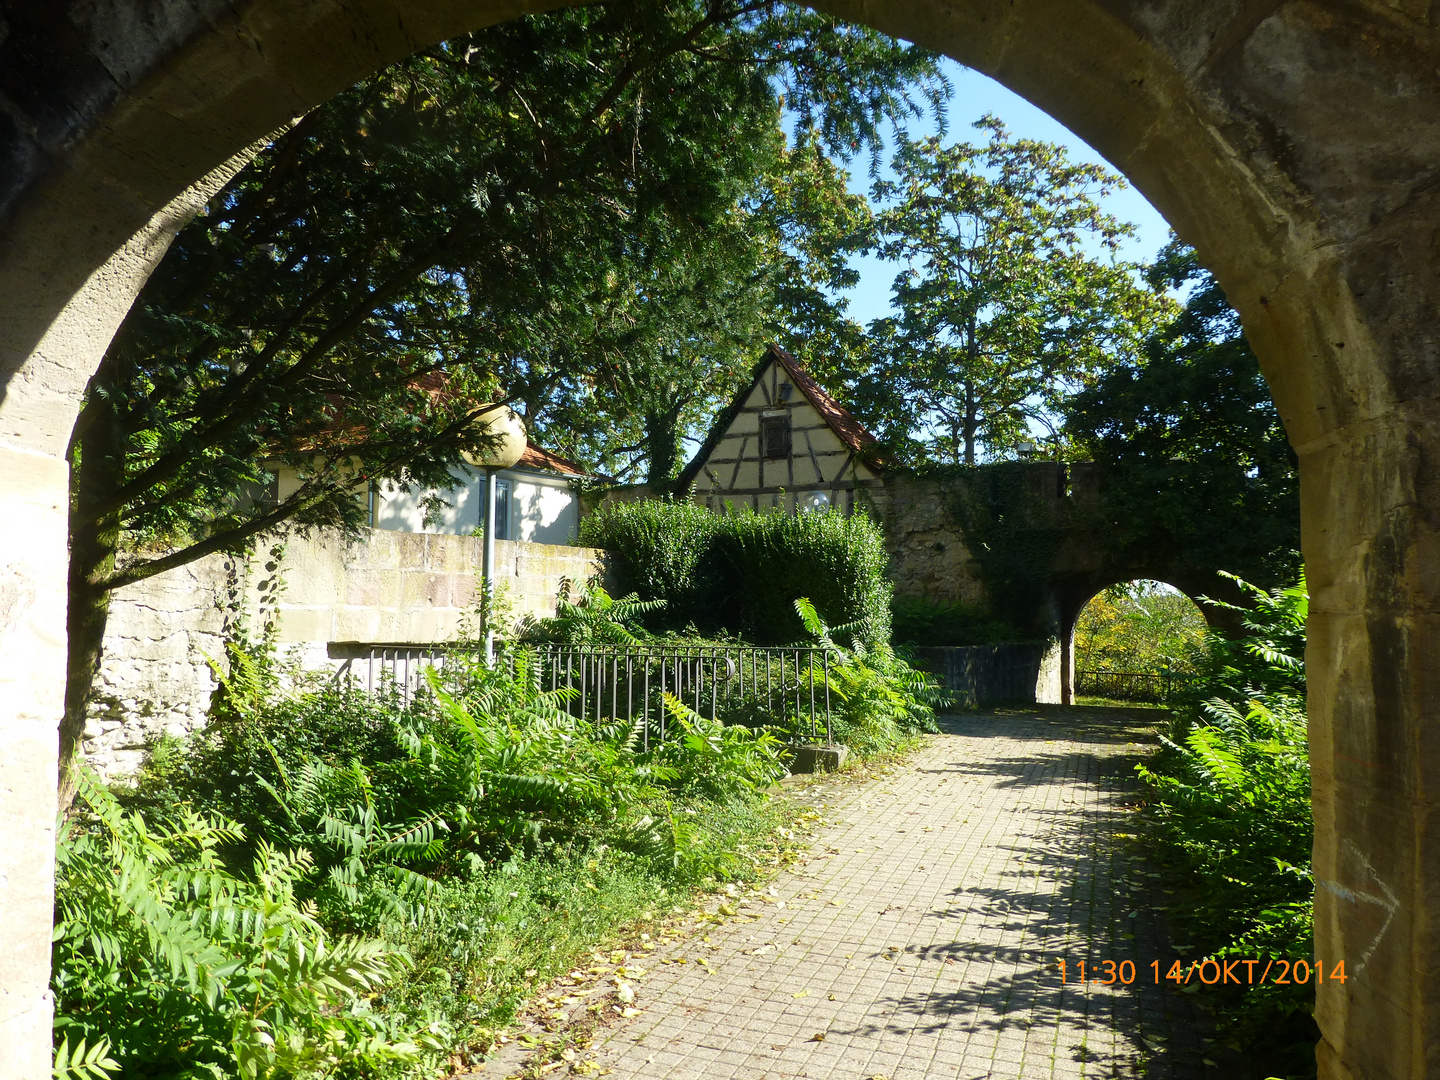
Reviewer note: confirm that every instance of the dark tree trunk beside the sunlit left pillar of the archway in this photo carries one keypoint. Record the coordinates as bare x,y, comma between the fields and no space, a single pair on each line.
97,472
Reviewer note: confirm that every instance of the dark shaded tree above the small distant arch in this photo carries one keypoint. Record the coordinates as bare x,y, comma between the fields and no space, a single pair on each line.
1194,449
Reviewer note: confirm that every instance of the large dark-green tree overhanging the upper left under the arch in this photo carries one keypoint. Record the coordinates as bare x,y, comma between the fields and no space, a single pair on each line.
552,211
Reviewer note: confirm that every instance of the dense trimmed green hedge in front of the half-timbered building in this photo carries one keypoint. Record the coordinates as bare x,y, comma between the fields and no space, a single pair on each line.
744,572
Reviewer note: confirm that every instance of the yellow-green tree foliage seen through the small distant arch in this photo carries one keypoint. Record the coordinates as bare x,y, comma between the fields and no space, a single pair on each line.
1144,627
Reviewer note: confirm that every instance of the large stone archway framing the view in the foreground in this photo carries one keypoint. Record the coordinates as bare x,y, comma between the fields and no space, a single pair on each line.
1294,145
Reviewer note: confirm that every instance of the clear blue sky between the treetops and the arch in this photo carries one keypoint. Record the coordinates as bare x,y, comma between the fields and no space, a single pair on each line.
974,97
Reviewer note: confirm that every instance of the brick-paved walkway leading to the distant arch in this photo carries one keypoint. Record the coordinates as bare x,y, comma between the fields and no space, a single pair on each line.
921,937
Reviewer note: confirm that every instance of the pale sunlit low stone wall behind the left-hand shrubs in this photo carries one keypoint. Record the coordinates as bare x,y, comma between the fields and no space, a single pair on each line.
387,588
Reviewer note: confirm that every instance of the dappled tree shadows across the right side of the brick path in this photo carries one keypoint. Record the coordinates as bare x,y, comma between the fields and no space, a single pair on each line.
1078,891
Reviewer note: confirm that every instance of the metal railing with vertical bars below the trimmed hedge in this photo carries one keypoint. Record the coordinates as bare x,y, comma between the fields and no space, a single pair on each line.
630,682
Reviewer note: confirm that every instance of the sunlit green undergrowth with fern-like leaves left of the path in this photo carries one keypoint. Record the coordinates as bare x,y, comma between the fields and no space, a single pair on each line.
414,822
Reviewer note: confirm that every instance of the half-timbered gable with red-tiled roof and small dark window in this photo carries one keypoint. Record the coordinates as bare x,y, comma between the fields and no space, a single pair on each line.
784,444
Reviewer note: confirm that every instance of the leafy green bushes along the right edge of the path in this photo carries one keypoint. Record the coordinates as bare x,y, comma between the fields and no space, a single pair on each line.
1232,813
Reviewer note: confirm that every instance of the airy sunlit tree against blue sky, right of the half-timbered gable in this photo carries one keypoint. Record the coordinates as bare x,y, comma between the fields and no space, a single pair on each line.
1004,306
